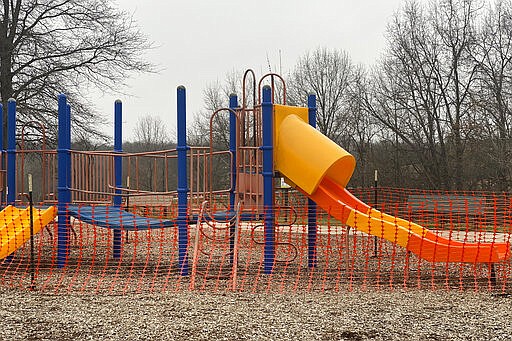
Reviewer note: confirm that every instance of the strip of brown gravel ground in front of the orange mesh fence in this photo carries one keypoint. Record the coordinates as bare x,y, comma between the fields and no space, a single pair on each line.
355,315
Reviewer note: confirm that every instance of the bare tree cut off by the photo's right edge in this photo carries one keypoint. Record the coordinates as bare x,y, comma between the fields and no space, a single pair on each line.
493,57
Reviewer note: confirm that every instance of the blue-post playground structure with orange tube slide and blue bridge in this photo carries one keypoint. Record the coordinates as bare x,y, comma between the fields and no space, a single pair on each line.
267,141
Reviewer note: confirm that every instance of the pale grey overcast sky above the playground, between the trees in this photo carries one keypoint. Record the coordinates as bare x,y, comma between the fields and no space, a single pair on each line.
199,42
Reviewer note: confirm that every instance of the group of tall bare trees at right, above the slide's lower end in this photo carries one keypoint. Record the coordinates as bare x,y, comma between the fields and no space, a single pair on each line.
440,96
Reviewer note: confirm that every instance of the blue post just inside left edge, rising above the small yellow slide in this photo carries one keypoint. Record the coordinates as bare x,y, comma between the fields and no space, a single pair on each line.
11,151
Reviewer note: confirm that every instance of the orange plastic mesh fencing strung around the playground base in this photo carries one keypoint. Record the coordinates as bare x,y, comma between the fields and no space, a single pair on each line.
228,253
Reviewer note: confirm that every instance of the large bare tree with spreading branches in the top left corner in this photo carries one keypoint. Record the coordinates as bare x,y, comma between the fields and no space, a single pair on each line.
65,46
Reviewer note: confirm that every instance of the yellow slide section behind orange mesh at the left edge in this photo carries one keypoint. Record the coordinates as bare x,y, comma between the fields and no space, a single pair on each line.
15,226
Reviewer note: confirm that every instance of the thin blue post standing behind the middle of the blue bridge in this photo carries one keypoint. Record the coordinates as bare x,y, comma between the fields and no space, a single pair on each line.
118,170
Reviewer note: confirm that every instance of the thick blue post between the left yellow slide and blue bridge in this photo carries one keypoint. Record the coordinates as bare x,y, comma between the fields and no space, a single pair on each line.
64,179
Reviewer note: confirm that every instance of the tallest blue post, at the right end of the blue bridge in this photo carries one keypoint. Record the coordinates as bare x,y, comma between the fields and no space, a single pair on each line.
182,182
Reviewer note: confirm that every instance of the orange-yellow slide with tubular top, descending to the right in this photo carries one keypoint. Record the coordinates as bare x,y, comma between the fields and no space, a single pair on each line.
321,170
